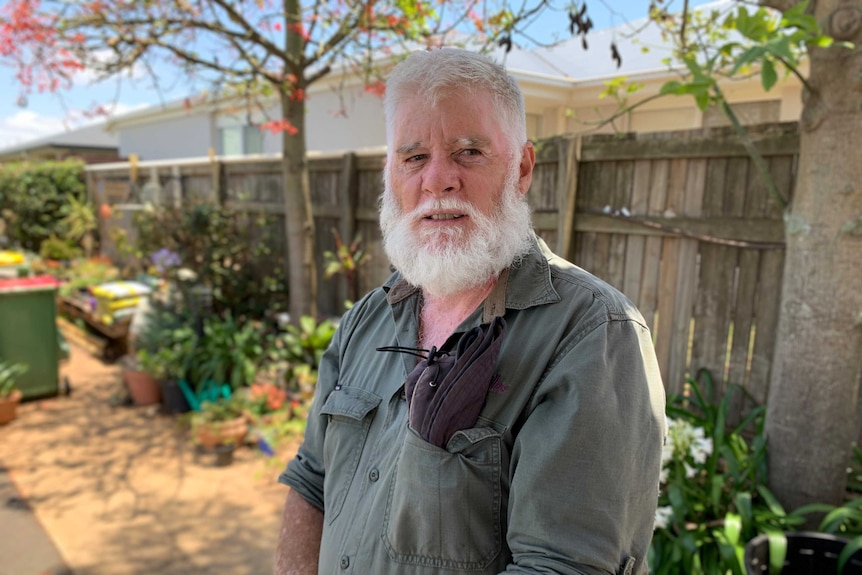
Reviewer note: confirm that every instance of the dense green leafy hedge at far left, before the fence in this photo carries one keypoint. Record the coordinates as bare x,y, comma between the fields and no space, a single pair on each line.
33,198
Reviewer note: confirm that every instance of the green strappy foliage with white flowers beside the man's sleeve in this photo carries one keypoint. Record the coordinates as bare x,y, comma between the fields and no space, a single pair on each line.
714,497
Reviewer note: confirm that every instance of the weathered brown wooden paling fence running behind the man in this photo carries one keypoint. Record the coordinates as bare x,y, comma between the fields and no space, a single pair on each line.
681,222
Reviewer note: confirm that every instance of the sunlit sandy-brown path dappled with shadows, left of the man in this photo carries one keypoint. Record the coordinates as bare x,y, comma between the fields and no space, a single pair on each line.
118,491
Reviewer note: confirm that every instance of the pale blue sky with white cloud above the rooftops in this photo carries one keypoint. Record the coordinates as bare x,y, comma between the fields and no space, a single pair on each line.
50,113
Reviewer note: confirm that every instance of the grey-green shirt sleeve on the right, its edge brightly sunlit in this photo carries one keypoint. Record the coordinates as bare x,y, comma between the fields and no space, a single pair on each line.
586,463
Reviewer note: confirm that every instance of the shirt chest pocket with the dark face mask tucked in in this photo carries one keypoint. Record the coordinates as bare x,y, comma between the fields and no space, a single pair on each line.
444,505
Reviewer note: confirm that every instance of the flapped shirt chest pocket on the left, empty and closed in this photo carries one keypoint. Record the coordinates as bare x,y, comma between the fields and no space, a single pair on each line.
349,412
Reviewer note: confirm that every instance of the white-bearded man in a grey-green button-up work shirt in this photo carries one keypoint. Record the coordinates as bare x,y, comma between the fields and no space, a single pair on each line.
558,469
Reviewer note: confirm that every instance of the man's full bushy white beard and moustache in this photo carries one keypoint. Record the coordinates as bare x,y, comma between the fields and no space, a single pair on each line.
447,261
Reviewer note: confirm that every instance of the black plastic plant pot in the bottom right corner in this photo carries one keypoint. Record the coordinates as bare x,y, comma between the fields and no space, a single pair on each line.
808,553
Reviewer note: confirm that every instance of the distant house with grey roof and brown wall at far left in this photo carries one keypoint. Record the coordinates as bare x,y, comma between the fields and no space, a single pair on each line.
92,144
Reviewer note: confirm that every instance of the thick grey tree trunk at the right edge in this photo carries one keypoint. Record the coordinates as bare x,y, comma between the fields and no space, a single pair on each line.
812,406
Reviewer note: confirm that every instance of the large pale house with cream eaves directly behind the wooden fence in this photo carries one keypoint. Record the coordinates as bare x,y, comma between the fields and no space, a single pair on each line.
563,88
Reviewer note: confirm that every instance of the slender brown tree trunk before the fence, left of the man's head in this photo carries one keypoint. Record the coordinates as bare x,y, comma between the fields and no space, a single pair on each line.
298,217
